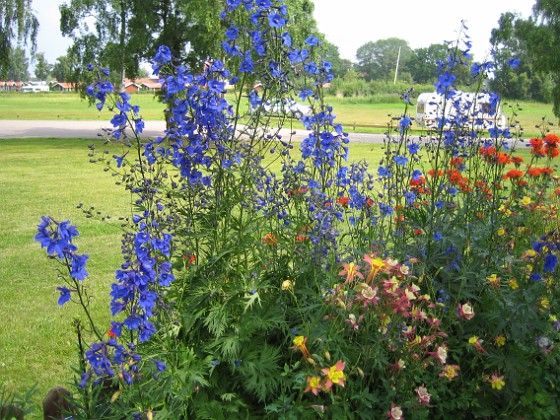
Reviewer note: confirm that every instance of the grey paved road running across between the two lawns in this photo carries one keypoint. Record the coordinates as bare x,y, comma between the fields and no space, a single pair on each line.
10,129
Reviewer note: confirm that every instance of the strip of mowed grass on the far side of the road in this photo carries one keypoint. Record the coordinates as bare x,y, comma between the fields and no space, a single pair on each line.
356,114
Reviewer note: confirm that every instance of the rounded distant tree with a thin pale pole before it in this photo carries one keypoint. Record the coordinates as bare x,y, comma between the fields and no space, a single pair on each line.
377,60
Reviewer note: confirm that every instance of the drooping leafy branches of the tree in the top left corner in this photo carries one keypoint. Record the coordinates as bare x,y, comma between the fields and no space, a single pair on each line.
17,23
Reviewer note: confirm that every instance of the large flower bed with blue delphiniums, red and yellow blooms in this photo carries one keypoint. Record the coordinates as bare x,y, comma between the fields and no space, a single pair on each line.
426,287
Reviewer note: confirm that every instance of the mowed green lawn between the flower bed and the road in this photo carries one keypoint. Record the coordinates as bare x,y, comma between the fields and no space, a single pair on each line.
51,177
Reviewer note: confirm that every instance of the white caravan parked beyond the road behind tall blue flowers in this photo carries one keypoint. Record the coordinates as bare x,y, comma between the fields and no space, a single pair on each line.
472,109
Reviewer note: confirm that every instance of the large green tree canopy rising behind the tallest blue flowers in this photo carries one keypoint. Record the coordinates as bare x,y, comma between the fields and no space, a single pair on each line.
126,33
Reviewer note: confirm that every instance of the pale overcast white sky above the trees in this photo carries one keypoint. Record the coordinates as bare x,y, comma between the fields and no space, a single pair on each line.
351,23
